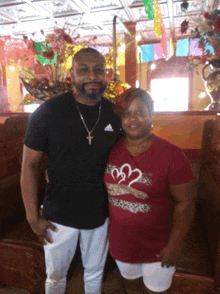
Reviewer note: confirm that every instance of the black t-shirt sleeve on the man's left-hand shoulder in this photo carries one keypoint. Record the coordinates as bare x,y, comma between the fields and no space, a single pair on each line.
36,134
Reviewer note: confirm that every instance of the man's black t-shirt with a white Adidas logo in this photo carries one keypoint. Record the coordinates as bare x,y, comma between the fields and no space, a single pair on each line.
75,195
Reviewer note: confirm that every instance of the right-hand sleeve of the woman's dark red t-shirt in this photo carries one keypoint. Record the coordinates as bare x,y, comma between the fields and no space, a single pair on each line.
180,169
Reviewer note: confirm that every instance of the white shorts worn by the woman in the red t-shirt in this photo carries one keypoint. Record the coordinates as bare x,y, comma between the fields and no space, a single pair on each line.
155,277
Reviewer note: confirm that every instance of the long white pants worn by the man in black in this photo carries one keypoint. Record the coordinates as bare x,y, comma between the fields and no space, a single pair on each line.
59,254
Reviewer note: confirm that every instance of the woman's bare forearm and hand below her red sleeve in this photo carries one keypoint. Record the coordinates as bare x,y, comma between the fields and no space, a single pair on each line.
182,216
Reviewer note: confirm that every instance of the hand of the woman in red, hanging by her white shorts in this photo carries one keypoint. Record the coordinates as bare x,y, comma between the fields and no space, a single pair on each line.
170,254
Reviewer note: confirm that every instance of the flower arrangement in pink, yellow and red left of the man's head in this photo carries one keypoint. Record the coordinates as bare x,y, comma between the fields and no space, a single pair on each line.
52,78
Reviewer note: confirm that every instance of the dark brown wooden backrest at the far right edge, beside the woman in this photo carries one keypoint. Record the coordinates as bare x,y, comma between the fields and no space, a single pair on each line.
209,191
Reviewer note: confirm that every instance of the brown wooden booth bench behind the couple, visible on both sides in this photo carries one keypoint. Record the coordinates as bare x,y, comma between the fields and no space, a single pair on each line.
198,270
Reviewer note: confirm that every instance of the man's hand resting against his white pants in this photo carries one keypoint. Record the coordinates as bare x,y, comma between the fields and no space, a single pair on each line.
40,227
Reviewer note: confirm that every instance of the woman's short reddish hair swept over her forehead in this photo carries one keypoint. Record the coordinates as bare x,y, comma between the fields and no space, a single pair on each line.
124,100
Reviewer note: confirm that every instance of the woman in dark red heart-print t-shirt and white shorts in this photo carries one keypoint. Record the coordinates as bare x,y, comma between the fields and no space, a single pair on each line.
150,203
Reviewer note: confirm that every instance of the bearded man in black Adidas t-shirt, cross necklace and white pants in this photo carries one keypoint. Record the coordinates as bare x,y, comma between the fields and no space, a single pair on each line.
76,130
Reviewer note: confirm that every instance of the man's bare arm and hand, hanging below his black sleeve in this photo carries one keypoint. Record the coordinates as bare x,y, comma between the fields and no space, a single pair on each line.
29,188
